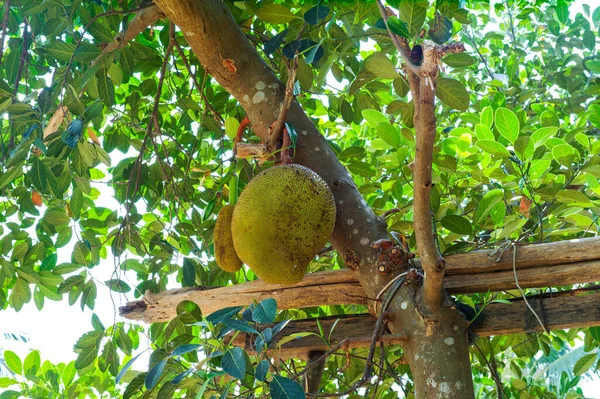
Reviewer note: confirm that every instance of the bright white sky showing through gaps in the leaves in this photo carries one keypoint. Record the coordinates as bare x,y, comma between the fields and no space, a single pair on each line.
55,329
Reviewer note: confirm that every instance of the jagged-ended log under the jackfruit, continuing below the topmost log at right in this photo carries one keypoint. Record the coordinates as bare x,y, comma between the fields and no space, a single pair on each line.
340,287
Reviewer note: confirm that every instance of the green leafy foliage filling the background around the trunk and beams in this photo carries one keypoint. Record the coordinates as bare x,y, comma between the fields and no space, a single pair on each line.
516,160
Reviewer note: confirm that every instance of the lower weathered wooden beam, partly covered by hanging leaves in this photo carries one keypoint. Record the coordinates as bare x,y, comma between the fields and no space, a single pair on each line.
558,313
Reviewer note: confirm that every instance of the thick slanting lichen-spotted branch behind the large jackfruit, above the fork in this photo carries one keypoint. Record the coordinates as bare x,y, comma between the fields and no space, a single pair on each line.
233,62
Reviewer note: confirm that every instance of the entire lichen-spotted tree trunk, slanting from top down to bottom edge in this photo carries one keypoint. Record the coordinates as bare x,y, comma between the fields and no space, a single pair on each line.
228,56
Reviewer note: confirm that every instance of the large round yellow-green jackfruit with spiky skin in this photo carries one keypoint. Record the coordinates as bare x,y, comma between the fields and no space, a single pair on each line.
284,216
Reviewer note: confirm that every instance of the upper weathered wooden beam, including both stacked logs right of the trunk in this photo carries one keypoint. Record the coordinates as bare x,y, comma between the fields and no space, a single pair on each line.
543,265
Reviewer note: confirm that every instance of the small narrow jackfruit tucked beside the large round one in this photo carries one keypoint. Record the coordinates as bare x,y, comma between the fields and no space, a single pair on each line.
225,254
